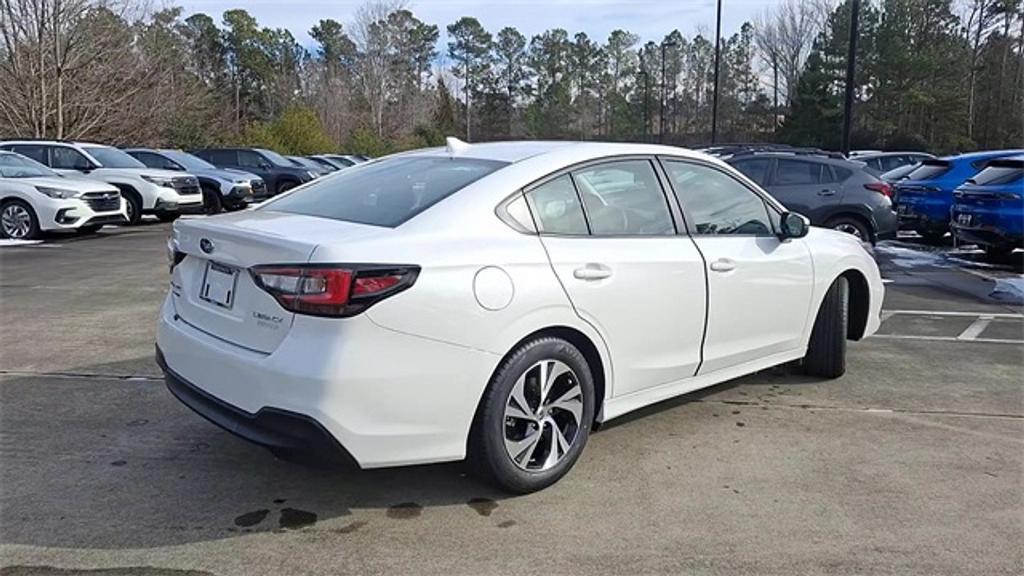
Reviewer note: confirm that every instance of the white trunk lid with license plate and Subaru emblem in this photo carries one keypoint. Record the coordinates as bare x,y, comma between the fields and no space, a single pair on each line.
212,287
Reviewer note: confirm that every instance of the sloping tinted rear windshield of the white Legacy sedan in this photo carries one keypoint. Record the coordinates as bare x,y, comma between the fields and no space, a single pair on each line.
386,193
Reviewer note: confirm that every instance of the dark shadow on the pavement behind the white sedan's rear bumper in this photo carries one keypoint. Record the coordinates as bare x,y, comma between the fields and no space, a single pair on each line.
93,463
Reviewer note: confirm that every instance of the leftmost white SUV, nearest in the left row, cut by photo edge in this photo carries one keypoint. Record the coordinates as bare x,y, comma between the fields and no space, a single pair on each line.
35,199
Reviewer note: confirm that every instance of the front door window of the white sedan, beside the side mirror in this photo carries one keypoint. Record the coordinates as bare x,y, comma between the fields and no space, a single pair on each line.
717,203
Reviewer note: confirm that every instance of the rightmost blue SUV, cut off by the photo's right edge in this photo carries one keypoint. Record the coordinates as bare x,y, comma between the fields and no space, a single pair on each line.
989,210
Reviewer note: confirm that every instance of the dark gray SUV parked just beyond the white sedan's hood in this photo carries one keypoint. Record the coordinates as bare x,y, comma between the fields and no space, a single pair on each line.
832,192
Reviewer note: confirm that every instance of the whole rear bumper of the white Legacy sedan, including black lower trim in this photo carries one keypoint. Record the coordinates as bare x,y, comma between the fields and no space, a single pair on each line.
388,398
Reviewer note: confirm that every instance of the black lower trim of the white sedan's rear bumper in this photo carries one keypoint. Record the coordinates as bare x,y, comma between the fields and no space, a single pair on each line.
271,428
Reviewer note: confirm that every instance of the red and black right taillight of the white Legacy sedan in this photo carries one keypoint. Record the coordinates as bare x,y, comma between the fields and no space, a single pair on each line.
333,291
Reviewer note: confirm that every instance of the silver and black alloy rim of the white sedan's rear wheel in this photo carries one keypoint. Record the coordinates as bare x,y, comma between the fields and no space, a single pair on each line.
543,416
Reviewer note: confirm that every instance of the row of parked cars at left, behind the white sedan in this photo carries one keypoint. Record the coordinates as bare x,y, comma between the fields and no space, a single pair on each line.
42,190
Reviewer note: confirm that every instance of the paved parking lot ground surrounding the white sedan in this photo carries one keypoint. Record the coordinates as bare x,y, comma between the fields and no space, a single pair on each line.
913,464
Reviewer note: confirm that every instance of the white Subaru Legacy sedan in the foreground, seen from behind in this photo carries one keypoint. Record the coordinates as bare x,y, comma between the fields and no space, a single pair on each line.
496,302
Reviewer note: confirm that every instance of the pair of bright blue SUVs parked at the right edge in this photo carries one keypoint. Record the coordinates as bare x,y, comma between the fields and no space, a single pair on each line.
976,196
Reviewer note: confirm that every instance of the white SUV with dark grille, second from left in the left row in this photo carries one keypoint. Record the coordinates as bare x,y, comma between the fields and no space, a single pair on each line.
148,191
